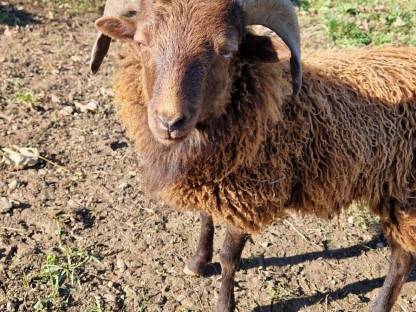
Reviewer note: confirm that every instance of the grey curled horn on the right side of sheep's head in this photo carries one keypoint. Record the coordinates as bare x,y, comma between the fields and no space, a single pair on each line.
280,17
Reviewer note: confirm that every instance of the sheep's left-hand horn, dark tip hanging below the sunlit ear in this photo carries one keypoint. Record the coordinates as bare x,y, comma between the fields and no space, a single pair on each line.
102,43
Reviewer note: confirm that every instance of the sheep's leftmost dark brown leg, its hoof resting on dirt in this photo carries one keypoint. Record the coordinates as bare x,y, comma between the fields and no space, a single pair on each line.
196,265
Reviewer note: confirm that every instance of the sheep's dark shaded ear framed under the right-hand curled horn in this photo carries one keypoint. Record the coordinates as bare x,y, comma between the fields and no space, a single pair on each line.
264,49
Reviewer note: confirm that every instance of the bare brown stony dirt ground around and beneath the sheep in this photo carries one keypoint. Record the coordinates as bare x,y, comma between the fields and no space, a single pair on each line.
88,198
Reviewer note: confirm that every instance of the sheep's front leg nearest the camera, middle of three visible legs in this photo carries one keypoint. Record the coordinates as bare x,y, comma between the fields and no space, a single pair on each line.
230,256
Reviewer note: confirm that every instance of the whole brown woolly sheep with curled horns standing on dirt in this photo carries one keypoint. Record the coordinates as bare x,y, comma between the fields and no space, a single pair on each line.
219,131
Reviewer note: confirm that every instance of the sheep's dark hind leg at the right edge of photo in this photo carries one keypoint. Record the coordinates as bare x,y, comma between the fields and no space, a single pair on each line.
401,264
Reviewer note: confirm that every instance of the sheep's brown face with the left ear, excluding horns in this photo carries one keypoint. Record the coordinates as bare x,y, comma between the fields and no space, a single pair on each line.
186,48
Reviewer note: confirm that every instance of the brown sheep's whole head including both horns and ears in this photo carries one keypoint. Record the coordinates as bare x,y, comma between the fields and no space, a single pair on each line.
187,48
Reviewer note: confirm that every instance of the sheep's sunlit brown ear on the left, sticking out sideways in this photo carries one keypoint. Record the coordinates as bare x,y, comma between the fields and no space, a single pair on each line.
116,27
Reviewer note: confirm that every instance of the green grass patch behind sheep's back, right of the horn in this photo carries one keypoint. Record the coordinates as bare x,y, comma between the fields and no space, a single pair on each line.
365,22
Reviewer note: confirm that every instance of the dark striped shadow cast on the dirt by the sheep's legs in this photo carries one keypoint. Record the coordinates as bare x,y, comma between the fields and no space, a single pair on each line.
295,304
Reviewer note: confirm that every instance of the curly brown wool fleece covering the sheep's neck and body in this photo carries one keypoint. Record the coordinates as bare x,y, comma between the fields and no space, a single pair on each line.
350,136
